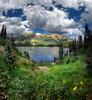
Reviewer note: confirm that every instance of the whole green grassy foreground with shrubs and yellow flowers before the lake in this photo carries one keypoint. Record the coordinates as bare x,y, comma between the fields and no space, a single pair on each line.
27,81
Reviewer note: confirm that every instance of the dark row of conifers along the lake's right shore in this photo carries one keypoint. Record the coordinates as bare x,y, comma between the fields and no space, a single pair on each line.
82,44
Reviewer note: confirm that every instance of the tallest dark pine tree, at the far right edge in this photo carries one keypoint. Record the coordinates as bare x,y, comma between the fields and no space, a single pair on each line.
88,48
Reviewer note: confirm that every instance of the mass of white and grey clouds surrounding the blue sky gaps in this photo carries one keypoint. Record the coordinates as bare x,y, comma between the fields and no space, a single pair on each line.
38,17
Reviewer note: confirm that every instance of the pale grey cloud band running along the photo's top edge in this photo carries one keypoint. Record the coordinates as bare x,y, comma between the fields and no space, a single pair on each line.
21,3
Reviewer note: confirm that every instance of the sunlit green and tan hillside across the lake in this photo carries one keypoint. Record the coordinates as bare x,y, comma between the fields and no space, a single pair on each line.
42,39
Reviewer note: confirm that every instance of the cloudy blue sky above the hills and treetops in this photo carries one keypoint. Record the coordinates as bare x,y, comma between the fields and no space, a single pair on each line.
50,16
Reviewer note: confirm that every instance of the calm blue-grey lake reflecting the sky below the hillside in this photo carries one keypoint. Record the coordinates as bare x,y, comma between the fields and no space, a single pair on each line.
42,54
